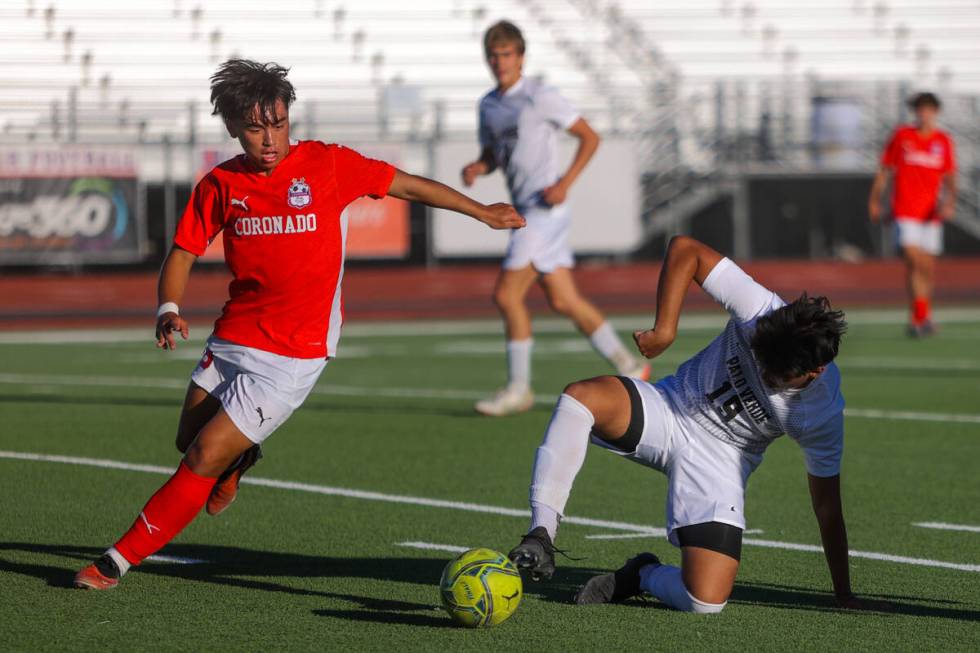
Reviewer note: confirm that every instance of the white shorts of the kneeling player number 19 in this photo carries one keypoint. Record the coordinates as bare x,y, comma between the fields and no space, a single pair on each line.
706,477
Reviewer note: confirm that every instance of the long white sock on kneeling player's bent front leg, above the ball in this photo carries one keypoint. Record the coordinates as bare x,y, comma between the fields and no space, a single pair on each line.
558,461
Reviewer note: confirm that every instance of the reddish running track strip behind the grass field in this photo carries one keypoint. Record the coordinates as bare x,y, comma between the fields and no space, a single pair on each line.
108,299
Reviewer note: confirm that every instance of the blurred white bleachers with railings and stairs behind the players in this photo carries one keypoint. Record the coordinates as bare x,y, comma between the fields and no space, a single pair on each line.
709,90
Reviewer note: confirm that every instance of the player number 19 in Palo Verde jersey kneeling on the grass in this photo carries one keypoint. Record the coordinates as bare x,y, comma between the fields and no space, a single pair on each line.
770,372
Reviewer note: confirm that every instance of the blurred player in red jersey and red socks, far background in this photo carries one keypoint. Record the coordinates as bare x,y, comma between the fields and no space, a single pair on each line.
920,157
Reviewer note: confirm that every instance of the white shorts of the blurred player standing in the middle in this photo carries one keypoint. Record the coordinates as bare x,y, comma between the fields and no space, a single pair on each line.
543,242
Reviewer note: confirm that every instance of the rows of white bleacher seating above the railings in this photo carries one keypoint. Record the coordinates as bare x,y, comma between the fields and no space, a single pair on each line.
138,70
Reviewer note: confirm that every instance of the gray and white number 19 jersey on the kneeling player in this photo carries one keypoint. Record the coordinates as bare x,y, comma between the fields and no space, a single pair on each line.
721,388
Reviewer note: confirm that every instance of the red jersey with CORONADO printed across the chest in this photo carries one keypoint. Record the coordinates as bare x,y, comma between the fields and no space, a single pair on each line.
284,242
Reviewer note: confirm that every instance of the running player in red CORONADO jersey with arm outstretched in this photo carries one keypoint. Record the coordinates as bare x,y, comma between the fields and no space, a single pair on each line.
280,207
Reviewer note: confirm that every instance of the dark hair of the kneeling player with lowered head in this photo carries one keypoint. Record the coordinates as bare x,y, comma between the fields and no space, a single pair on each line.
797,338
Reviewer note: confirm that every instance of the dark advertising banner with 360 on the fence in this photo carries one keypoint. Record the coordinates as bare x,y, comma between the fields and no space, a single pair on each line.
70,205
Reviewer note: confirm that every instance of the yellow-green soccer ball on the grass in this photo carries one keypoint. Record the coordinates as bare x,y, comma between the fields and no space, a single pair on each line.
480,588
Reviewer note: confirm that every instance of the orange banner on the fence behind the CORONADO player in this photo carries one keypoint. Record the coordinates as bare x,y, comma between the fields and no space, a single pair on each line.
376,228
